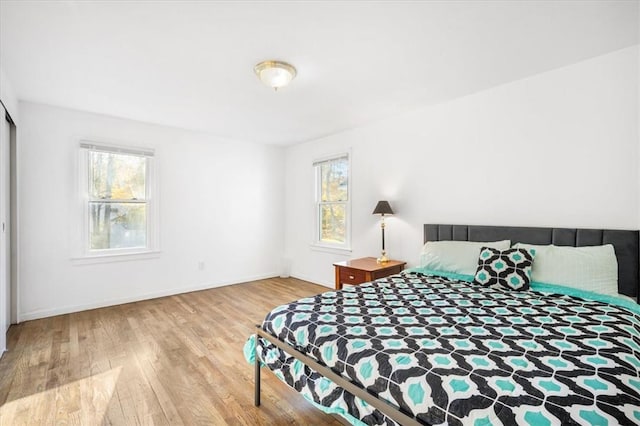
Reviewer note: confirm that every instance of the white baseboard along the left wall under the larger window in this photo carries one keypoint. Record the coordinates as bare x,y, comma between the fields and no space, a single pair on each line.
44,313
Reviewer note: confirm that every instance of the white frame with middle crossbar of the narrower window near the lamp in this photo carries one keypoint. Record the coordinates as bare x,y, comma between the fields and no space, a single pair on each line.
317,243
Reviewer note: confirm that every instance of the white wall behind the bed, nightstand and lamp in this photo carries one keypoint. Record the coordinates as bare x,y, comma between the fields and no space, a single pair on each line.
557,149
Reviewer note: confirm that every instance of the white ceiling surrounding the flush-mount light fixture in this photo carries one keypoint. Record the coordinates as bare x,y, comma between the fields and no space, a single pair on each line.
190,64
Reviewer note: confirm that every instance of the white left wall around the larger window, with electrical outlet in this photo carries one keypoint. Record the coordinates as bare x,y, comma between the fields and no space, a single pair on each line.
221,202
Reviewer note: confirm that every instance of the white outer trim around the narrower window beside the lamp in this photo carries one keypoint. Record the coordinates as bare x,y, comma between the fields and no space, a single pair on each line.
316,243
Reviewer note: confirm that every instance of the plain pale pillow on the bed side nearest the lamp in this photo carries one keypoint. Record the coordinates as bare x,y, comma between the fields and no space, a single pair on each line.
460,257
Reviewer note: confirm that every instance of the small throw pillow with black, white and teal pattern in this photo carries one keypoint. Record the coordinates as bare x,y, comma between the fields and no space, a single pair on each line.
509,268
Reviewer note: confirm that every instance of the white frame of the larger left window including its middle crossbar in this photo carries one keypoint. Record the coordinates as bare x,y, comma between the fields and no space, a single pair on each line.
152,240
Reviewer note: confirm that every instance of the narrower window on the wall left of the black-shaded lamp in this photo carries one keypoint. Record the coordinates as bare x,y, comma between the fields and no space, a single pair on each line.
333,210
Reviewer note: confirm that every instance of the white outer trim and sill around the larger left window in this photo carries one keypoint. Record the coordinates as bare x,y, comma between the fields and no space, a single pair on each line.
84,255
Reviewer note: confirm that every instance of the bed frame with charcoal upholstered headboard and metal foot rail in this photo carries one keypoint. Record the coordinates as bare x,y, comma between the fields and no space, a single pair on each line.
627,248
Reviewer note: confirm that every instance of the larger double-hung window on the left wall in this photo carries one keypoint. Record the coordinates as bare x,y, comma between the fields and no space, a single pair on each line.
118,200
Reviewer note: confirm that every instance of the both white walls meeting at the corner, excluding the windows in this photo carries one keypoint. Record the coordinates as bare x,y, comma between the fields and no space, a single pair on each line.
557,149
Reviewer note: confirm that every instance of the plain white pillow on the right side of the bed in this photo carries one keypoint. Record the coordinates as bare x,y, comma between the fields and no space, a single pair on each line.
590,268
